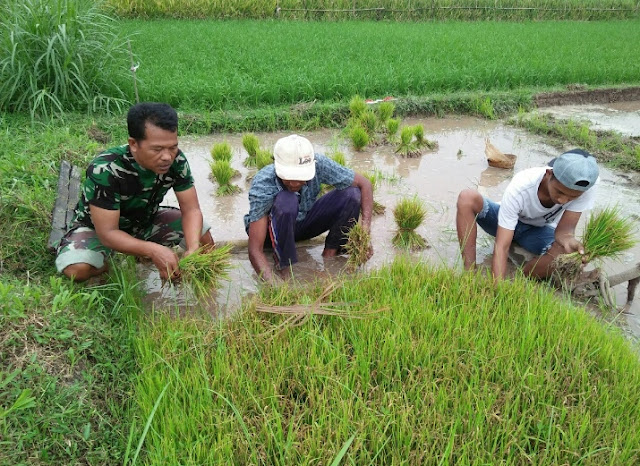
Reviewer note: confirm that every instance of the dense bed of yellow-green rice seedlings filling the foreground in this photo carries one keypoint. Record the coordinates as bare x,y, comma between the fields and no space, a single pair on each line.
451,370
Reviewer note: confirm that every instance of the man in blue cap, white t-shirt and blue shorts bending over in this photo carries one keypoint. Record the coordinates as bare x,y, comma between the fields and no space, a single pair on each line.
539,210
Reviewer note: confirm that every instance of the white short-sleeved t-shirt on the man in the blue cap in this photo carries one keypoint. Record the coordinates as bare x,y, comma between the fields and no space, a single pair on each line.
520,202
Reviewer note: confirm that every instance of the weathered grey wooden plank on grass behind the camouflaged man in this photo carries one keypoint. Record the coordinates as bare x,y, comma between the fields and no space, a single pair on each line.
68,192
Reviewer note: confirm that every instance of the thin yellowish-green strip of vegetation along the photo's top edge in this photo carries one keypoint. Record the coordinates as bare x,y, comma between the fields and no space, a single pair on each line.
382,9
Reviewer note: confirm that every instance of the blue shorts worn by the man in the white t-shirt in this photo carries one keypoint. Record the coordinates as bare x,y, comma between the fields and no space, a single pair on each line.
536,240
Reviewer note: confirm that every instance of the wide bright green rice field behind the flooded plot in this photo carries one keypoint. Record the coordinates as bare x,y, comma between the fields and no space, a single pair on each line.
248,64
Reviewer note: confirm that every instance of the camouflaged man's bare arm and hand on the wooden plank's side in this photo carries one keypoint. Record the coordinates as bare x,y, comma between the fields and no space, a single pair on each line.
107,227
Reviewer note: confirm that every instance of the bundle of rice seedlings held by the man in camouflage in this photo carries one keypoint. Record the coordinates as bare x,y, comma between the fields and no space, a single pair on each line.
203,270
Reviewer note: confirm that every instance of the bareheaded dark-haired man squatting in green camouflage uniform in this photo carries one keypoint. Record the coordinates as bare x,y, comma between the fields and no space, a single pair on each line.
119,209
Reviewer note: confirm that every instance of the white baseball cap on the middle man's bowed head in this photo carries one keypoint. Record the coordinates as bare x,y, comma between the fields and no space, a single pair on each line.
294,158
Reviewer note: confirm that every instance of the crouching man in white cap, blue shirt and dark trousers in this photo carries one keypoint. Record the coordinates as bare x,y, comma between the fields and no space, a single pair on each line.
284,205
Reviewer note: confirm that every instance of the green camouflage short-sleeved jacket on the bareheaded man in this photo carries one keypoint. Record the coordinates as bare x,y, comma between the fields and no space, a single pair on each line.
115,181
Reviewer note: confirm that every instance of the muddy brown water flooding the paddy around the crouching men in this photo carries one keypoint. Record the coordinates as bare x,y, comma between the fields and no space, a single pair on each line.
436,177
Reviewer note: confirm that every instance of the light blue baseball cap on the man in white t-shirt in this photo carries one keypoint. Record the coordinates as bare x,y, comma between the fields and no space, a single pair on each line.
576,169
